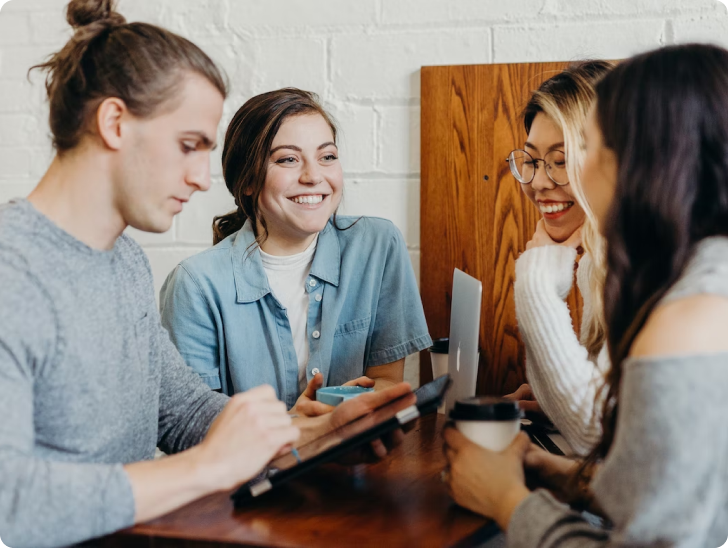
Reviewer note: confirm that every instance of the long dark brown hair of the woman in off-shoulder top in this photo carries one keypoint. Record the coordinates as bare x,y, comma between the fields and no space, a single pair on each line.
665,116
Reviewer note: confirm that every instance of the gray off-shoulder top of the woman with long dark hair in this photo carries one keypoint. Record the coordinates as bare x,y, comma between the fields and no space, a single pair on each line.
665,479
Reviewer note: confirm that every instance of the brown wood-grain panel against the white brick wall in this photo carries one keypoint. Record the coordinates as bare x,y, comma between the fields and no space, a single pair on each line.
473,214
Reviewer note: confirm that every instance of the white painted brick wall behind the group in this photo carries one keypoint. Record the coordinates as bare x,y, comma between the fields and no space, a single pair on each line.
362,56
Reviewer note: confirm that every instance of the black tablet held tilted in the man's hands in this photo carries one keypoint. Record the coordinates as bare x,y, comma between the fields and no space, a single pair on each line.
332,445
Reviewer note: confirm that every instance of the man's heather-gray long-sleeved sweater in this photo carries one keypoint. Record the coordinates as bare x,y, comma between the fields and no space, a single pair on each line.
89,380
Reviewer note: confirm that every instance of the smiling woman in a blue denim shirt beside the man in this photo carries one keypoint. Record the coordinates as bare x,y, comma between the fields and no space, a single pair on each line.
293,295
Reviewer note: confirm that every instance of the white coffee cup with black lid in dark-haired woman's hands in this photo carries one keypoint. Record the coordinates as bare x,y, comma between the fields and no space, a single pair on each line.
492,423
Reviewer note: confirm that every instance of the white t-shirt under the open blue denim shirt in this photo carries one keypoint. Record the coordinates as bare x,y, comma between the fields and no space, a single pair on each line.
287,278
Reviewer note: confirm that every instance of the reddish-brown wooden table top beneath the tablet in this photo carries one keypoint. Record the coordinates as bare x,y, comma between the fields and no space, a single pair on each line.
399,502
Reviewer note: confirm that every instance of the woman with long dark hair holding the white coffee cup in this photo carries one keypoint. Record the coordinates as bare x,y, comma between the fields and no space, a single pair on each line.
656,177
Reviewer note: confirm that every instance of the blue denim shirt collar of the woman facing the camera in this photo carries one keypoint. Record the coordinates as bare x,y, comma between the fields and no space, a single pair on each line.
251,282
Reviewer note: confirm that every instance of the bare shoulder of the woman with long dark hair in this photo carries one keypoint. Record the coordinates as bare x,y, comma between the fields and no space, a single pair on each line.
697,324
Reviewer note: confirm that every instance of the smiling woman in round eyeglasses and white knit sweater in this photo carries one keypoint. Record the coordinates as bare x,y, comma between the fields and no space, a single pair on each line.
563,370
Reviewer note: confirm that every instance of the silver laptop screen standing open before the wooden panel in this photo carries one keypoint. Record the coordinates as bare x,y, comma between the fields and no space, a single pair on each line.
467,295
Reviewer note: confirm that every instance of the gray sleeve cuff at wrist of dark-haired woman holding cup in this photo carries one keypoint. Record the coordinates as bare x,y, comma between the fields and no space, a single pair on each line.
541,521
